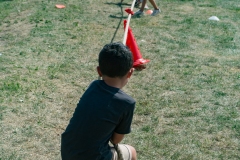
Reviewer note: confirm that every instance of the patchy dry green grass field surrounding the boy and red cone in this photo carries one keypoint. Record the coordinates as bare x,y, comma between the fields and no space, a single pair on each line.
188,97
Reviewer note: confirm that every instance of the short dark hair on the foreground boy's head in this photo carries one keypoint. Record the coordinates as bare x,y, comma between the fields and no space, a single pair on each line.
115,60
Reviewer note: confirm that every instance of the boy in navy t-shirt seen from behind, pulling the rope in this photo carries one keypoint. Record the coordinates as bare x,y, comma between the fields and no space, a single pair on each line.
104,112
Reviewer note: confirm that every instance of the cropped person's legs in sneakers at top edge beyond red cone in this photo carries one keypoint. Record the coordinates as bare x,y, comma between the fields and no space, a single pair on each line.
140,12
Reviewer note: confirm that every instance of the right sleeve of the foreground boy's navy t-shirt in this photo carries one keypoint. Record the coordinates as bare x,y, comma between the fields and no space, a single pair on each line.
124,127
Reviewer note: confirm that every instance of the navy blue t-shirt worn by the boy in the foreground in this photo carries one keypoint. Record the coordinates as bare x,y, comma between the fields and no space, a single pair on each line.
101,111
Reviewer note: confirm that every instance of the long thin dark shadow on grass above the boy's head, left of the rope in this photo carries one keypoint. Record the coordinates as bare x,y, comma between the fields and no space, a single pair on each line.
117,17
